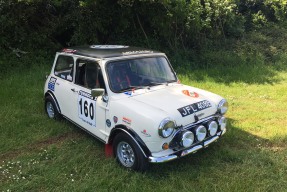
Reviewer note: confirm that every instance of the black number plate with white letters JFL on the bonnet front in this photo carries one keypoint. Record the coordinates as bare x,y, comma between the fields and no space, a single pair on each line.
193,108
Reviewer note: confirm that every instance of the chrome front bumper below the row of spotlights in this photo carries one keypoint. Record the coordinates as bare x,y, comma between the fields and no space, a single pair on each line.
187,151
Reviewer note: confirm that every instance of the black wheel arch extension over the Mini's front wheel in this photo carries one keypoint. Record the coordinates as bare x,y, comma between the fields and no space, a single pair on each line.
131,133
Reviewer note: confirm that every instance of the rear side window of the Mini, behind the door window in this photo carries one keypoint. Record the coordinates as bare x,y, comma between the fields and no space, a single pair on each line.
64,67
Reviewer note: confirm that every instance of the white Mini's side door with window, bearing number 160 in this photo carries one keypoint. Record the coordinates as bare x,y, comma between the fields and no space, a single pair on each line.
89,112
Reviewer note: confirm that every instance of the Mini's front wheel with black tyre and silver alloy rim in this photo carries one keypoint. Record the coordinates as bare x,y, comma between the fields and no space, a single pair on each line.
128,153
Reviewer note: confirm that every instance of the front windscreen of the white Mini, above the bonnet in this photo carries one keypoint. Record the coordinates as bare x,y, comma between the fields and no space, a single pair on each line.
139,73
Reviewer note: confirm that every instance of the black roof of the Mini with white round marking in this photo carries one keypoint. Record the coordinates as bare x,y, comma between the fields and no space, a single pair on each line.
106,51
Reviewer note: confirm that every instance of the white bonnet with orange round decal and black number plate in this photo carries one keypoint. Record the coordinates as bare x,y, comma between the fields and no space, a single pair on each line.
181,102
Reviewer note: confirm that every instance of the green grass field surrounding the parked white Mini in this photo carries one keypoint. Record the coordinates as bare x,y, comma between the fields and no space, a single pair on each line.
39,154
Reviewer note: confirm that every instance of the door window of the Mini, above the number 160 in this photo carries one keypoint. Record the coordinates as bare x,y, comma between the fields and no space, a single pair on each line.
89,74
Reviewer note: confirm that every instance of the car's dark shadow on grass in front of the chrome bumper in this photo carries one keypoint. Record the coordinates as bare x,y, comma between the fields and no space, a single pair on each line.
237,148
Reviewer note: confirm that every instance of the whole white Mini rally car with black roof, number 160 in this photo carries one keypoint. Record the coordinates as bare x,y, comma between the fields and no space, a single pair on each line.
131,99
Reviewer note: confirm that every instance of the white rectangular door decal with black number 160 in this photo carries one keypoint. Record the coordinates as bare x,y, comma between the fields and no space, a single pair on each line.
86,108
